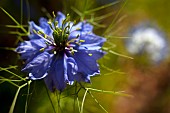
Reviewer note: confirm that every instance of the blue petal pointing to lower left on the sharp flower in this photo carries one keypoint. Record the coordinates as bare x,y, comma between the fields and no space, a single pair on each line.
39,66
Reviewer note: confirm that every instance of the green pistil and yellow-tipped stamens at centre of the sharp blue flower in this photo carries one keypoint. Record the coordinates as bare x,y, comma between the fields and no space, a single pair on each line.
60,34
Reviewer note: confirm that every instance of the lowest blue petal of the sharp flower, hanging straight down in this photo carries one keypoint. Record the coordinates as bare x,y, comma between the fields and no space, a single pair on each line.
57,76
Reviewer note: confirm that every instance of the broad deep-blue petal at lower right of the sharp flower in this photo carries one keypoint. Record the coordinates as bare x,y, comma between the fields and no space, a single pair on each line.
86,70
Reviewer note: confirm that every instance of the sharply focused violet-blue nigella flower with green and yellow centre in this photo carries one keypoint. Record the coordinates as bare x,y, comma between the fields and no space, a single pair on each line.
60,52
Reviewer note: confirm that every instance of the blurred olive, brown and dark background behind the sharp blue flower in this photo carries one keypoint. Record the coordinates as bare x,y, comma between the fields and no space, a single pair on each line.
135,28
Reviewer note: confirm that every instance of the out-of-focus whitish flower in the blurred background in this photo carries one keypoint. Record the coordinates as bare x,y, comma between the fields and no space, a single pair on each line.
146,38
